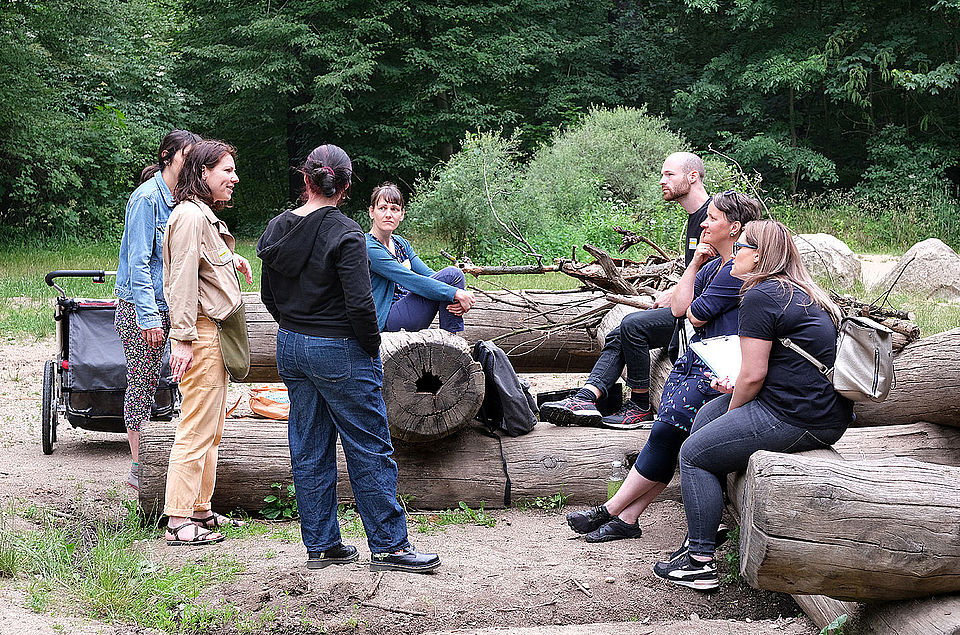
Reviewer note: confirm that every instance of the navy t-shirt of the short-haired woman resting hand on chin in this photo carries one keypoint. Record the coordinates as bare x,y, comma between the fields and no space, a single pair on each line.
716,300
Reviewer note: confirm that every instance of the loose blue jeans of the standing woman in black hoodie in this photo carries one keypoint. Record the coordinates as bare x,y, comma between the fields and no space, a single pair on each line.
335,388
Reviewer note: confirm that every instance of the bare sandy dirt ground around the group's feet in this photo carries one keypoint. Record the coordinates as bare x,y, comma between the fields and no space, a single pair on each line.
522,577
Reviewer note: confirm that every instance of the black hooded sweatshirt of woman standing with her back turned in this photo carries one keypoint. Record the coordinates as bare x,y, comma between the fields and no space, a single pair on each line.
316,277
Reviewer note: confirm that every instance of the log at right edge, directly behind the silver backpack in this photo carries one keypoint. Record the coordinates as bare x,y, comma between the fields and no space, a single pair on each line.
927,385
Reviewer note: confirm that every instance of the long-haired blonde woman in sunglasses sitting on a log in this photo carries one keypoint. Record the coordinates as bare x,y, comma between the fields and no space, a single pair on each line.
778,402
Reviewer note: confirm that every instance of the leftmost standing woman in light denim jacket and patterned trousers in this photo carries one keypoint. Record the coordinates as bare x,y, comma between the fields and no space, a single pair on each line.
142,320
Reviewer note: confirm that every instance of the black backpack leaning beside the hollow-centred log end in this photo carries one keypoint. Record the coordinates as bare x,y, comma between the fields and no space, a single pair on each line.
507,406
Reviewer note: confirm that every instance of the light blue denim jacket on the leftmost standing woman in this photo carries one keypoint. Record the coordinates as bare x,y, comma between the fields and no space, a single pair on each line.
140,270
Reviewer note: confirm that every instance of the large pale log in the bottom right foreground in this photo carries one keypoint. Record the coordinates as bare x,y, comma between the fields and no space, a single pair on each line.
853,530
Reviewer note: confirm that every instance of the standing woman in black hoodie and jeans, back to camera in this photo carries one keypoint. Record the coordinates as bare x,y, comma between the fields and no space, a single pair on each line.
316,285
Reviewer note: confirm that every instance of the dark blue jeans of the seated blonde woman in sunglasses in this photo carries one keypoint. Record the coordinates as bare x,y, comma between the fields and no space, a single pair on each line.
721,442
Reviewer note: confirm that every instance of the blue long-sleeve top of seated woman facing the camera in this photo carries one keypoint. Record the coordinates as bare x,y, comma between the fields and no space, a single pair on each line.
386,273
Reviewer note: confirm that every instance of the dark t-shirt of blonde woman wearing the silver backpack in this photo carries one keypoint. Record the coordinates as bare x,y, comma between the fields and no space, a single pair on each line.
794,390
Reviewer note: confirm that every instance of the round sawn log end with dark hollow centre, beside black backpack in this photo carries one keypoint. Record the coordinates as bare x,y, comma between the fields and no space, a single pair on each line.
431,385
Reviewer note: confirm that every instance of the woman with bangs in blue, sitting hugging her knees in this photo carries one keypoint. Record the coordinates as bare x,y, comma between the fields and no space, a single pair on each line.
408,293
